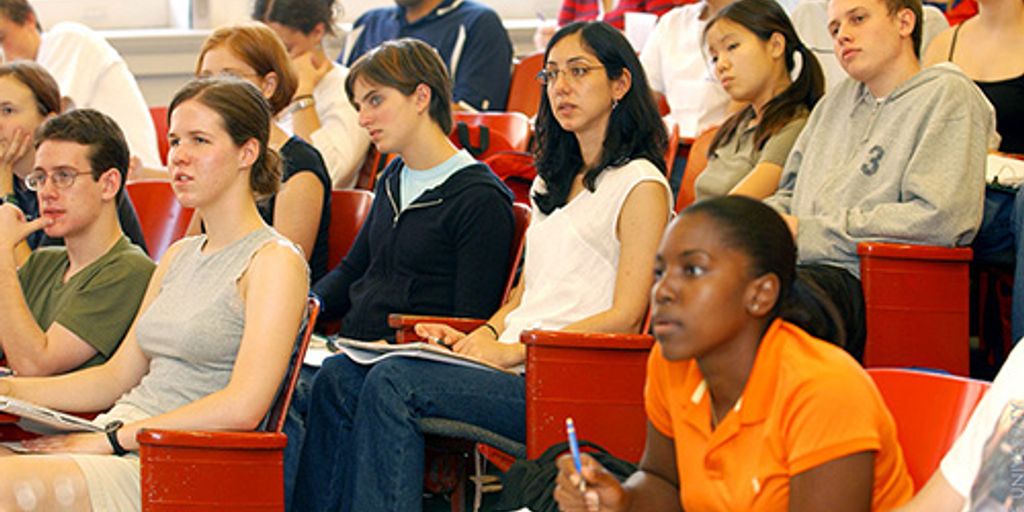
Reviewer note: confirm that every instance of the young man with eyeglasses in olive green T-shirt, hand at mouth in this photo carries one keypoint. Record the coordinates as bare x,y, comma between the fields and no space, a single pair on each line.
77,302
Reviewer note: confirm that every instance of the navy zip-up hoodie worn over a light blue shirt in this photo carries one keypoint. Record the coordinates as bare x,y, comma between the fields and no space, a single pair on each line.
446,254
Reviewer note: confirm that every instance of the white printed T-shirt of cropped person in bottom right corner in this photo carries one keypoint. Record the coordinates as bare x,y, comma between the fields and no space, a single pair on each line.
961,465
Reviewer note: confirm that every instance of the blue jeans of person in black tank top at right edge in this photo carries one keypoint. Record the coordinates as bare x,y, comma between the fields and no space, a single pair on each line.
1001,241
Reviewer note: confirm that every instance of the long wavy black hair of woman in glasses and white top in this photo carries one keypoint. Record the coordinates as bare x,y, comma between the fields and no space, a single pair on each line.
635,130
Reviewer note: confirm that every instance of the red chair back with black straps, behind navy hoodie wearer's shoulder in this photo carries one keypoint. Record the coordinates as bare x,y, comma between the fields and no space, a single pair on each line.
485,135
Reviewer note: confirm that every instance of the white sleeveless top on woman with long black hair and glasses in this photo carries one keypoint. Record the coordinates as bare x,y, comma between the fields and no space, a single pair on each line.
573,254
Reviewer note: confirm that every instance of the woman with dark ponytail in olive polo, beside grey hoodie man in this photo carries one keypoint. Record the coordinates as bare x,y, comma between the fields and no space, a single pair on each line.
754,50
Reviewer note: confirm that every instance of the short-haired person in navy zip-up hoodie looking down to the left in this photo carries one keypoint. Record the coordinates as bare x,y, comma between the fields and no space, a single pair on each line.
438,237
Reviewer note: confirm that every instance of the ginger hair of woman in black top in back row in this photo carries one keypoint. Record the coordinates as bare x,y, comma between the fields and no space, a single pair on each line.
260,48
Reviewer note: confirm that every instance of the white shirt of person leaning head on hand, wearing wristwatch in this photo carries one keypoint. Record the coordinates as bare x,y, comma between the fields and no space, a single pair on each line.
340,140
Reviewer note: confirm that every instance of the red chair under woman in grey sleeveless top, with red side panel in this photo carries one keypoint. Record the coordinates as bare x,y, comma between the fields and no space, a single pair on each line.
224,472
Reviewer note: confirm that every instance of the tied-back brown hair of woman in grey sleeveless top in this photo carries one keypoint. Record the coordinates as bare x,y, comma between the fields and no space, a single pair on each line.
245,115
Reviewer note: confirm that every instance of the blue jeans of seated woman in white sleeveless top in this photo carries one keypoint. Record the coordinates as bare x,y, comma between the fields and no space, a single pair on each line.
364,450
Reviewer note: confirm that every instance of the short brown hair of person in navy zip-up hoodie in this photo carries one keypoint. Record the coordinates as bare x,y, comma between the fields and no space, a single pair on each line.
404,65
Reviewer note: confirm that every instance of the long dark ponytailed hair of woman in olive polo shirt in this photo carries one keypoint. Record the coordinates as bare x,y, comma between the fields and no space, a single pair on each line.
765,18
